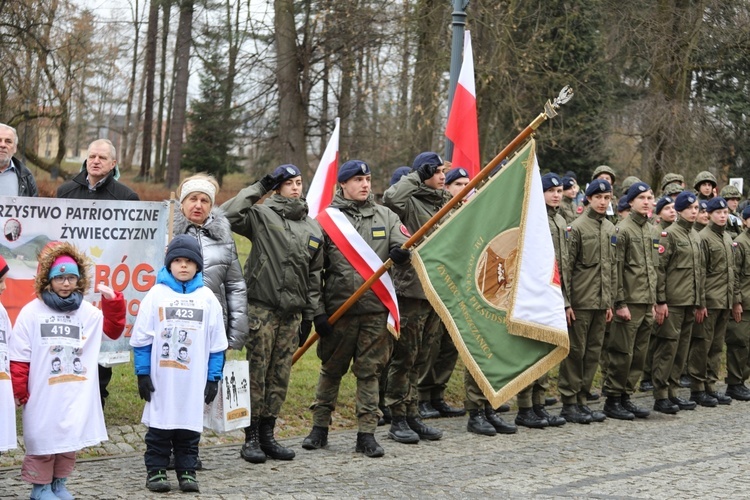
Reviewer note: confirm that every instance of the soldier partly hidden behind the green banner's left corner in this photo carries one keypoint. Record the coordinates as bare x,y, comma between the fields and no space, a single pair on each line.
415,199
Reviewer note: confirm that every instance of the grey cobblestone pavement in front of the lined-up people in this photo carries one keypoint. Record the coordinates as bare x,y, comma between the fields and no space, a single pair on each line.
703,453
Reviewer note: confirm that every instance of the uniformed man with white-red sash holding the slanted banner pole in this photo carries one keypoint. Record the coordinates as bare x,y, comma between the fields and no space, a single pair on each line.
360,338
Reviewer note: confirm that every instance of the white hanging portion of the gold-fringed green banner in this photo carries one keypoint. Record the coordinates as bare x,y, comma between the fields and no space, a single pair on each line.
538,299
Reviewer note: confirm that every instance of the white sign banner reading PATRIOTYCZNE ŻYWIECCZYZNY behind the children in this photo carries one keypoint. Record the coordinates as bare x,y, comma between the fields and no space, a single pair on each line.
124,239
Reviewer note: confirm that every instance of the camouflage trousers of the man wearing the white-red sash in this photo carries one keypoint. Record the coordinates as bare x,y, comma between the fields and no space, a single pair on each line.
364,342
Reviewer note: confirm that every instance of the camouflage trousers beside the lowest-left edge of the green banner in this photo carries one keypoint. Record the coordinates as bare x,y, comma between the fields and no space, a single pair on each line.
420,326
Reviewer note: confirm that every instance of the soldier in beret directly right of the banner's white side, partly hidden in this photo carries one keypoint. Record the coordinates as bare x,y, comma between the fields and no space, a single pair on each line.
531,411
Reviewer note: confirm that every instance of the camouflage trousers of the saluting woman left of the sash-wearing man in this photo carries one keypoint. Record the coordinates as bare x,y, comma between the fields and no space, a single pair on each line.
270,348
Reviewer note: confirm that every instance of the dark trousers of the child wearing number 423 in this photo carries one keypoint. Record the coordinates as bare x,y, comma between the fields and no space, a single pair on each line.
161,442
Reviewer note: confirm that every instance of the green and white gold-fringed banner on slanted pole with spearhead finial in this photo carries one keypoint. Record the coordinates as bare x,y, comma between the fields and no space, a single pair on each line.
490,273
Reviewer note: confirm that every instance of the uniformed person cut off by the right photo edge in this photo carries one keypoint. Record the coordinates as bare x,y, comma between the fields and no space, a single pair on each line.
738,329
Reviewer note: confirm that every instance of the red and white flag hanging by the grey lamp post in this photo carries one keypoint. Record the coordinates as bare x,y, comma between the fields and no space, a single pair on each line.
462,128
